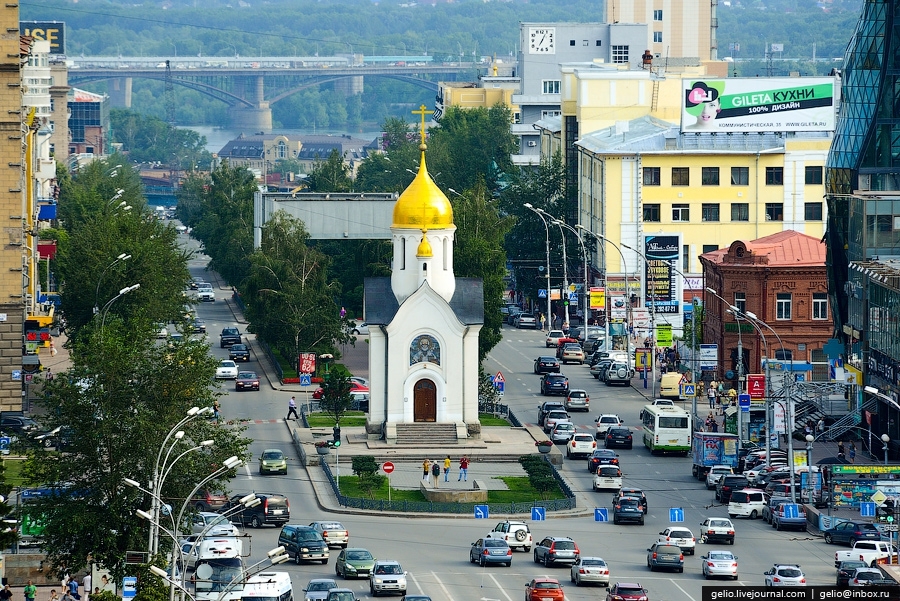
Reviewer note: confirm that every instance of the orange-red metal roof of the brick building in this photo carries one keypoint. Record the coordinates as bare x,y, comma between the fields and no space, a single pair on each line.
788,248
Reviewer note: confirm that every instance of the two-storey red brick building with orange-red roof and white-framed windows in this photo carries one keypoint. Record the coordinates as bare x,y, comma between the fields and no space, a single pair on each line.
782,280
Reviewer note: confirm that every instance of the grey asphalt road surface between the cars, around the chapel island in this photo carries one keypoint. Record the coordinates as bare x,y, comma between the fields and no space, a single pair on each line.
435,550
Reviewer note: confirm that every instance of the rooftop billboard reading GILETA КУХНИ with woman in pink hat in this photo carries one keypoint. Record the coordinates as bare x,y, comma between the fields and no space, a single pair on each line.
758,104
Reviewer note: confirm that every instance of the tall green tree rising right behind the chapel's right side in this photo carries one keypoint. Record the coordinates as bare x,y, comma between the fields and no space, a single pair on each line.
479,252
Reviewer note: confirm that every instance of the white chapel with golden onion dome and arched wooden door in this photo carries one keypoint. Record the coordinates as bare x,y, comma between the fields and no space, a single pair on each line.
423,323
